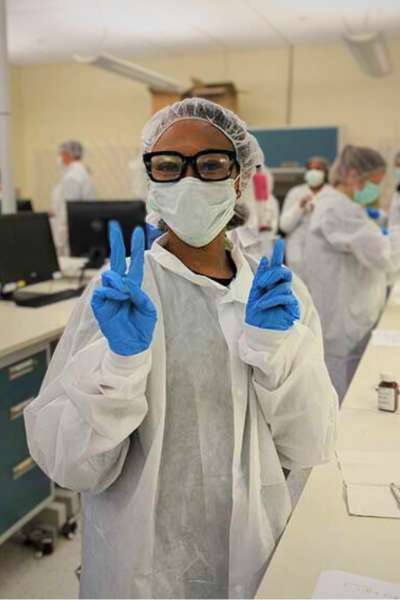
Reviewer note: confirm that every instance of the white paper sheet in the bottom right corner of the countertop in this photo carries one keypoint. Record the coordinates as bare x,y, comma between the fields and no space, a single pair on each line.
339,584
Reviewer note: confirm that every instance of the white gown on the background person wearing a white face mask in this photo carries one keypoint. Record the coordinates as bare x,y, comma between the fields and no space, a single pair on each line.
295,222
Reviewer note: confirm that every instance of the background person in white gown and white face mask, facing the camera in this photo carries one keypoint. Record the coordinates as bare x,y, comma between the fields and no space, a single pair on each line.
297,210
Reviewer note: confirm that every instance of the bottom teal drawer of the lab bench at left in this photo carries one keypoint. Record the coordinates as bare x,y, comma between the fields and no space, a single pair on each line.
23,487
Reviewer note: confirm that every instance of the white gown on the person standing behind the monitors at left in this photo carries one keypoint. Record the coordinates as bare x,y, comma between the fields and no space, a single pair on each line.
75,184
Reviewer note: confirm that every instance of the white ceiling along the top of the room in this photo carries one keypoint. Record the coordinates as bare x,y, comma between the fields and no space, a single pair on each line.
51,30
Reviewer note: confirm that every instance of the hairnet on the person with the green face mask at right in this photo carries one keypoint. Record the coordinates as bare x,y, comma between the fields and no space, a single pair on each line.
360,159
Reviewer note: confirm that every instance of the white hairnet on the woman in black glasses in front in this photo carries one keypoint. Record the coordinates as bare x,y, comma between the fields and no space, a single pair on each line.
222,118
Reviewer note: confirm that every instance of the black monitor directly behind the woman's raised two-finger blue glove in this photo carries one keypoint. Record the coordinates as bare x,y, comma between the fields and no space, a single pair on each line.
88,226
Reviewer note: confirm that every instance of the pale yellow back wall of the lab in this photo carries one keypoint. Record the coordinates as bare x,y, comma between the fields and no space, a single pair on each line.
55,102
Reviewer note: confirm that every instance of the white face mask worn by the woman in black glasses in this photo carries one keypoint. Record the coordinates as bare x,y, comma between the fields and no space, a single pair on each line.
195,210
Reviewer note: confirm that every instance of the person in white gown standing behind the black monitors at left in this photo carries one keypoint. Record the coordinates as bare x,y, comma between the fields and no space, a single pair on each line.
75,184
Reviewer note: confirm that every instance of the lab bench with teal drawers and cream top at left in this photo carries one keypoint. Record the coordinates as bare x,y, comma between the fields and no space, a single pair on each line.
27,340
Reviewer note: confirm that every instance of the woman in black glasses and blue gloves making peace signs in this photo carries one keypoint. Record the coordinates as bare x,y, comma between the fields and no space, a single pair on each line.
184,385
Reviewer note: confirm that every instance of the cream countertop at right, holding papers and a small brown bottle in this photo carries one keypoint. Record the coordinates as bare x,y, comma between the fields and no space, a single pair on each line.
321,535
